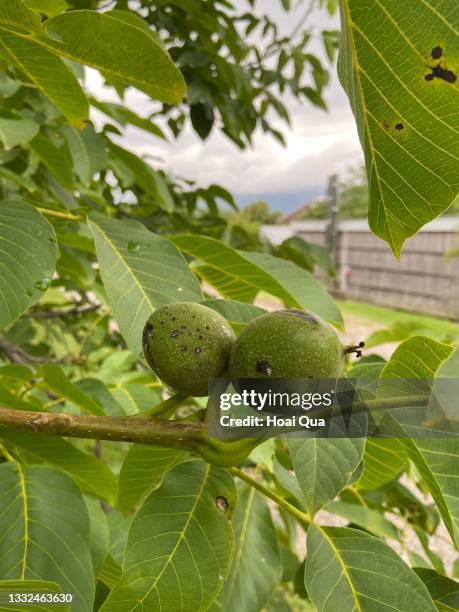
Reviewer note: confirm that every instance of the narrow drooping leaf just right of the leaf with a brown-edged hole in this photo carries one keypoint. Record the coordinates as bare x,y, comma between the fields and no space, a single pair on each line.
257,565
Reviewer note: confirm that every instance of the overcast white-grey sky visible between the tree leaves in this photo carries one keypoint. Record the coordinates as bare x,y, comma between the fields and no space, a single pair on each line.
318,143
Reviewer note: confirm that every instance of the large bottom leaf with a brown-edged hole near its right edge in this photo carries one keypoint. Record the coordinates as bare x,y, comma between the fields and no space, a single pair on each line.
178,560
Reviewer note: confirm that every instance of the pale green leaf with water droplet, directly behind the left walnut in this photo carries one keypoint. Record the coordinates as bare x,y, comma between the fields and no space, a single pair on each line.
141,271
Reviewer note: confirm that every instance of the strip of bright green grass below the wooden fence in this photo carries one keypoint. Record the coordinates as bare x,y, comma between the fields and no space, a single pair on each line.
388,317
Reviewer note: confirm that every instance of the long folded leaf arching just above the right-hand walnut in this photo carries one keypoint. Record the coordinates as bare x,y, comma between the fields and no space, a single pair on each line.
240,276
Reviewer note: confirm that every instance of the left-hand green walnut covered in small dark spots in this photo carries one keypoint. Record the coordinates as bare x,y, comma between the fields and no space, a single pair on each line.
186,345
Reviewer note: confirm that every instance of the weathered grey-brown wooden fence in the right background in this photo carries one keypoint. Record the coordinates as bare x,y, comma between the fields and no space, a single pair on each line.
422,280
